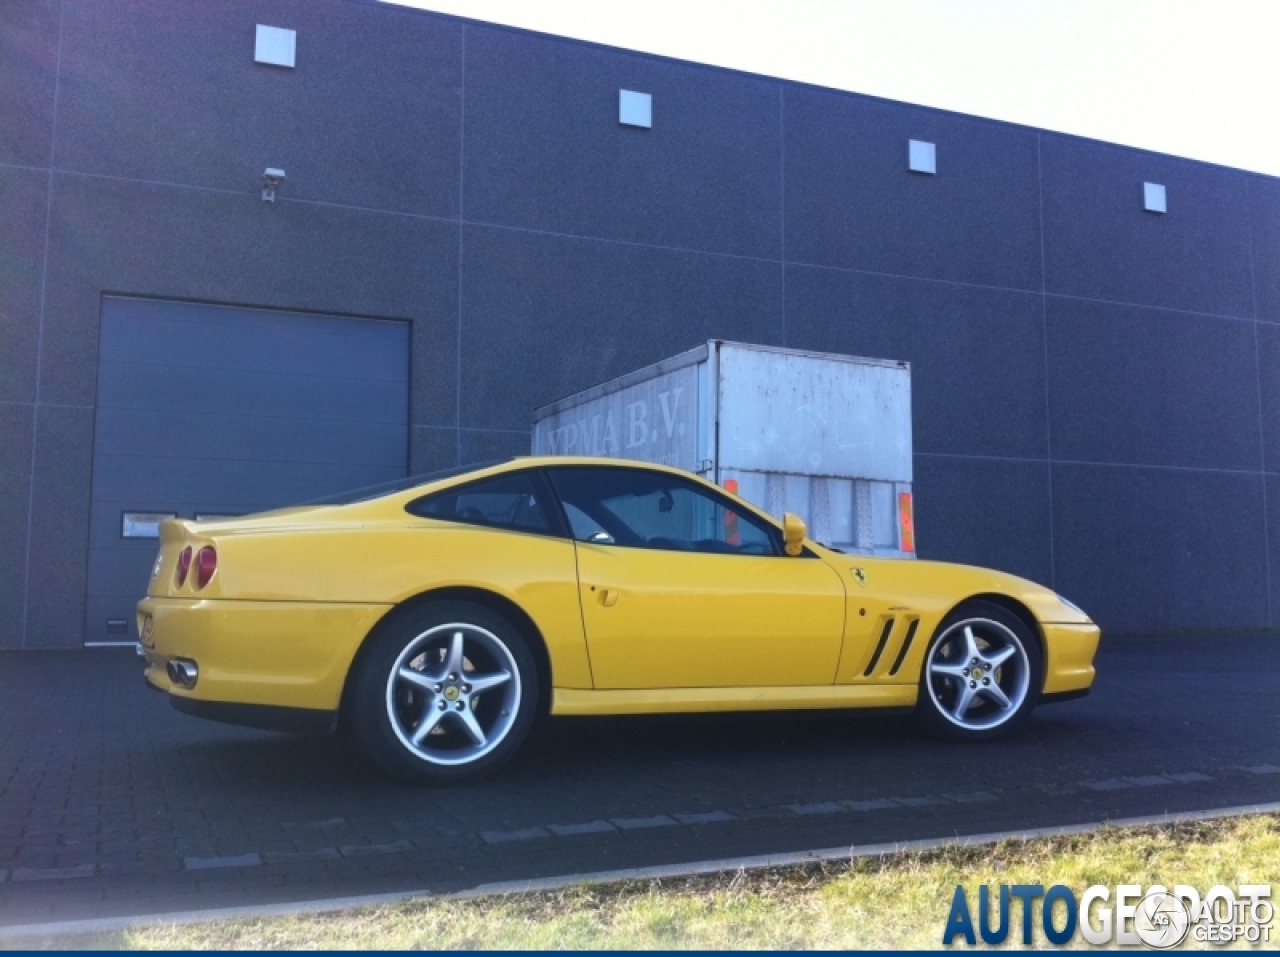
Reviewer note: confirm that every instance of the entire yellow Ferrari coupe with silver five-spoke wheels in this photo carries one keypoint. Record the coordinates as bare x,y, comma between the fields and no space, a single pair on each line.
440,617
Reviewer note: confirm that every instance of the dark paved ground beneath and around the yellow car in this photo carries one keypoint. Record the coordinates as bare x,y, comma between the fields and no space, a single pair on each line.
113,804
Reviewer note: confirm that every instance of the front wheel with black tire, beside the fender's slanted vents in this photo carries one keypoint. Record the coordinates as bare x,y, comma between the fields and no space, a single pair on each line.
990,629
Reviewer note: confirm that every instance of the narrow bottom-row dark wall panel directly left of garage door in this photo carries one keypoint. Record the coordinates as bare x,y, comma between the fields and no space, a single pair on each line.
60,528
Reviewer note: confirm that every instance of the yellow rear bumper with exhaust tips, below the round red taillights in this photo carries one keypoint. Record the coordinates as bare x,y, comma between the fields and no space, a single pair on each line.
273,654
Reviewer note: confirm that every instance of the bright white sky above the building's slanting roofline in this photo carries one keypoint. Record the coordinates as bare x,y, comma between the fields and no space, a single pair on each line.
1196,79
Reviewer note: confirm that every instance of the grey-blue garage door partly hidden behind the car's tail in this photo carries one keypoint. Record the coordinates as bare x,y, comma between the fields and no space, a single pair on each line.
211,410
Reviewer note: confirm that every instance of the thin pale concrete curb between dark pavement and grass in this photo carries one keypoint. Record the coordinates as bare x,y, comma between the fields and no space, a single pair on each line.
75,928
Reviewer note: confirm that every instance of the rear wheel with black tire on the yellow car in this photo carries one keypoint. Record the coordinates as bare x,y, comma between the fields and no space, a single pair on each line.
388,715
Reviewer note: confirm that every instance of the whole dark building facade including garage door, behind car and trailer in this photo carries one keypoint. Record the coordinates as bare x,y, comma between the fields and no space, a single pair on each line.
467,231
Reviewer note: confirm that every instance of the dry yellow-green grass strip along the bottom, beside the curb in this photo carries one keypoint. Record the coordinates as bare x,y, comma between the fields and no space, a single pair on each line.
897,901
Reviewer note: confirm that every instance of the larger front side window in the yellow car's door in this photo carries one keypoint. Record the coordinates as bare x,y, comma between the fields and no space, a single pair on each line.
639,509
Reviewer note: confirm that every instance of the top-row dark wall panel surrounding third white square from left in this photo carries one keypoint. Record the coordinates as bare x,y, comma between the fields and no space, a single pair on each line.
852,202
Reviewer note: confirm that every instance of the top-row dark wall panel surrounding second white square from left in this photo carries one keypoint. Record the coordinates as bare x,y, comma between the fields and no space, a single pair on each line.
545,149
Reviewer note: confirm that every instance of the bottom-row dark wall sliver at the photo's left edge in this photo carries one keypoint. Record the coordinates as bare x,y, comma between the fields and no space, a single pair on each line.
16,441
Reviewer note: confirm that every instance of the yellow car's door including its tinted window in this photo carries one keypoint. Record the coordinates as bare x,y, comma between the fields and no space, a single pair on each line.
682,589
